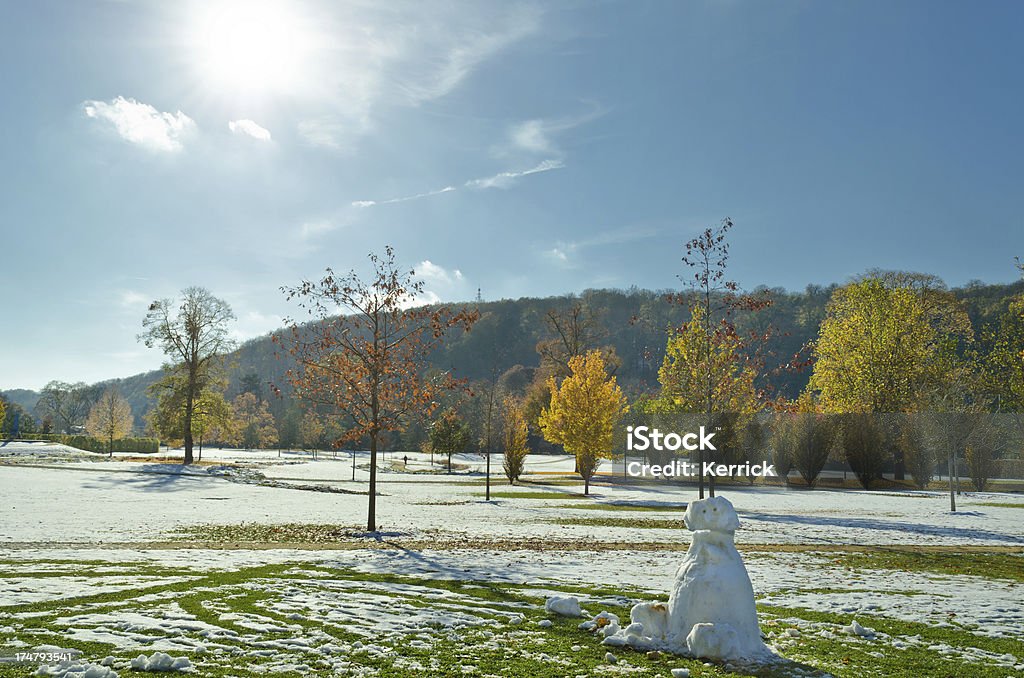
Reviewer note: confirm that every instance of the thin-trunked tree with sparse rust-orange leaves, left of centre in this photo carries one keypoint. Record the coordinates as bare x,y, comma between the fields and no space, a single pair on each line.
367,364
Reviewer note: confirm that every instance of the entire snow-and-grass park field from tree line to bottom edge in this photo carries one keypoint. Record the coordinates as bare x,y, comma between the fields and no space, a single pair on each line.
119,558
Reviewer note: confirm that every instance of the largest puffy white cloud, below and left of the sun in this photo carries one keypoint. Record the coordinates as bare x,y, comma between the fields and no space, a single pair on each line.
142,124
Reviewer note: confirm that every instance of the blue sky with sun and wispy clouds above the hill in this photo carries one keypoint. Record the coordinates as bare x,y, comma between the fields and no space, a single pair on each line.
521,149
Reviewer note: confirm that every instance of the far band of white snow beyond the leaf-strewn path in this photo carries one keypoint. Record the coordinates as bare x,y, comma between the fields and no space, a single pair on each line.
165,497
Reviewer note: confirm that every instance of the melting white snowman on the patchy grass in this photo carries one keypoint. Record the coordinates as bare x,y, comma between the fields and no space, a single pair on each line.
711,612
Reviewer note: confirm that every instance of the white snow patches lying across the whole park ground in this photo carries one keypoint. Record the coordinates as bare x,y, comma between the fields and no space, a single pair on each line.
132,504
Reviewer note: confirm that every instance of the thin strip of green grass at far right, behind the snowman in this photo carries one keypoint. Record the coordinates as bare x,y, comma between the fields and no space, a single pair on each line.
991,566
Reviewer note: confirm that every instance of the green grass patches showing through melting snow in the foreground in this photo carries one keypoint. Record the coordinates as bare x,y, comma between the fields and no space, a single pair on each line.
509,651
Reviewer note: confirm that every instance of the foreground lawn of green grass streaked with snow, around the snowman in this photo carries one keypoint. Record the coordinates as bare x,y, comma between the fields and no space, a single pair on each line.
307,619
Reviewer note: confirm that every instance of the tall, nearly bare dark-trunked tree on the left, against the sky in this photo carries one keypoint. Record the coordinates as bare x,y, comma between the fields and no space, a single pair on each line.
194,334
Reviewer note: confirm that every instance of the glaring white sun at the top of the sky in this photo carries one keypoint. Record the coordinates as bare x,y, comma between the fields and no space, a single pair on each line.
252,47
